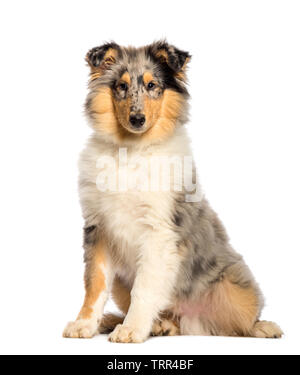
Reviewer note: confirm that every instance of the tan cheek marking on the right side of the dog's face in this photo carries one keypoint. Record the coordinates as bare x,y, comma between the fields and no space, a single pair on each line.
164,111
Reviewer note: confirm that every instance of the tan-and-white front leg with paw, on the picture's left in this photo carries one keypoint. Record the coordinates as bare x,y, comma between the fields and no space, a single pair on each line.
98,280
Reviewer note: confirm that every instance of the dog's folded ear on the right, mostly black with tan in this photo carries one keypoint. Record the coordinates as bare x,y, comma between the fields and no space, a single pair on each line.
168,54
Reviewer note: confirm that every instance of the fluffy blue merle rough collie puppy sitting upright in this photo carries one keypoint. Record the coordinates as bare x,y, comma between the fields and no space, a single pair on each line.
159,250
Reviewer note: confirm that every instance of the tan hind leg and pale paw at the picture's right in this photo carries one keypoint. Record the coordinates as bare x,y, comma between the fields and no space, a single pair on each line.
228,309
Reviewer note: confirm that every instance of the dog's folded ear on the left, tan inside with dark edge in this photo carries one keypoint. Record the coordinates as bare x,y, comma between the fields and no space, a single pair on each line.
101,58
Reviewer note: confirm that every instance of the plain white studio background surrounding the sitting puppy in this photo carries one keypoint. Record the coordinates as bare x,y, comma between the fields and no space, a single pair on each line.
245,95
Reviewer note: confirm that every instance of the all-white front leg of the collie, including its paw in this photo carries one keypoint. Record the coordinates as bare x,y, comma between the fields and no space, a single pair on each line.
151,292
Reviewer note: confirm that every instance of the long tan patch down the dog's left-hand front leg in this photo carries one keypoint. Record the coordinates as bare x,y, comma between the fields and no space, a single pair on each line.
97,282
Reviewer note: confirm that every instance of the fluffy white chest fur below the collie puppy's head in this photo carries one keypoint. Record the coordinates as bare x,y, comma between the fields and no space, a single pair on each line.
121,192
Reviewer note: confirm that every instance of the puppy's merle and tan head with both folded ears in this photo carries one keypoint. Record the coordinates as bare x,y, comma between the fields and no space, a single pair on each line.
137,93
